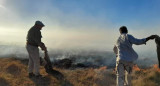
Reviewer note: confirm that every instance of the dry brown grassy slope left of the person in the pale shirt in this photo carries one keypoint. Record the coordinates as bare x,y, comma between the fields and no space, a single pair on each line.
14,73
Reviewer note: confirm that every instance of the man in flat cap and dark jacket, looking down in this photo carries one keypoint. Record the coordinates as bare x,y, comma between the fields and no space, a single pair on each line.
33,42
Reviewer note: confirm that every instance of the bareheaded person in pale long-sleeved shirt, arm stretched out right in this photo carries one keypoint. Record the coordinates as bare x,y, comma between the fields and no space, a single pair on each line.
126,55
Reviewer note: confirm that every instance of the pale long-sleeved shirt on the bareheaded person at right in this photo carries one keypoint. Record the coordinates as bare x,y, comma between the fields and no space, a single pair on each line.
123,47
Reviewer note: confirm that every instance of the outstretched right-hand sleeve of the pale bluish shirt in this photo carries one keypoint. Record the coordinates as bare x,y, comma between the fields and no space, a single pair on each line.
136,41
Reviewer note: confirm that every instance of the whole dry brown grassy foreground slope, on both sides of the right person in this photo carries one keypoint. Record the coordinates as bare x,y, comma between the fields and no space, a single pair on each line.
13,72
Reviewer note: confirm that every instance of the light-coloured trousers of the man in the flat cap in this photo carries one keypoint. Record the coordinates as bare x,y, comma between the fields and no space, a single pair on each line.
34,60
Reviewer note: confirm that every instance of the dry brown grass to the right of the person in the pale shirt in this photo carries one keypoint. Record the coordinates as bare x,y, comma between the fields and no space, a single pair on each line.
147,77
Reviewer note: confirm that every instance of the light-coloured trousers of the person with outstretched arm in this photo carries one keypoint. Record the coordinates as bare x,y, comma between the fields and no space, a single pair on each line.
123,70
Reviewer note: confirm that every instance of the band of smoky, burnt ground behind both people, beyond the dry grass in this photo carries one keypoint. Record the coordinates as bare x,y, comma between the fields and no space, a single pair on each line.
75,57
